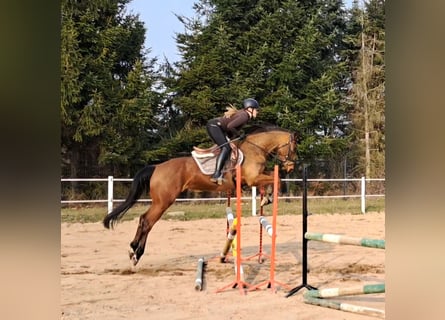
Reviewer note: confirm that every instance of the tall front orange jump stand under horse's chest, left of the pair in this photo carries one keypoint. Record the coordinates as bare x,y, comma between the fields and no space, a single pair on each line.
241,284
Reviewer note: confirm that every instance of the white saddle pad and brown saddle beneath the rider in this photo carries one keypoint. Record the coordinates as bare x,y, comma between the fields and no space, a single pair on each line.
205,158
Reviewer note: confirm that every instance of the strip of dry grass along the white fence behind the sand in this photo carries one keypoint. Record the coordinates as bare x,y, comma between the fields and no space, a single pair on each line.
217,209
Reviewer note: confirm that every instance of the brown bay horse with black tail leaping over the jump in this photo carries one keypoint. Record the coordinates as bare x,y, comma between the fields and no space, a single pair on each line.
165,181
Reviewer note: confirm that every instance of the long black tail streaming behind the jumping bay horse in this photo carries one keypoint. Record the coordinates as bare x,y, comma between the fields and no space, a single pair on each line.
141,184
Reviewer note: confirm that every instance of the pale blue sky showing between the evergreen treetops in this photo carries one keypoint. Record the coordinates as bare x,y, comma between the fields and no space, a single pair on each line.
162,24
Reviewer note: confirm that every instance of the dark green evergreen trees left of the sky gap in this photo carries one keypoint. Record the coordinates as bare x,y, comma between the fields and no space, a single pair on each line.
108,102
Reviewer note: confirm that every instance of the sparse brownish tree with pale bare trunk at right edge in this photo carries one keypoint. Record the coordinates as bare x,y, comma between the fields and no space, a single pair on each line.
367,94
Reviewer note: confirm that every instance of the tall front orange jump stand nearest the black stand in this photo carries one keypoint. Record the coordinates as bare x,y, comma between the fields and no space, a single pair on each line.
271,282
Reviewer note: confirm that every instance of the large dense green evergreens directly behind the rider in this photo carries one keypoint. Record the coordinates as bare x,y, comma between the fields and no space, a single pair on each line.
286,54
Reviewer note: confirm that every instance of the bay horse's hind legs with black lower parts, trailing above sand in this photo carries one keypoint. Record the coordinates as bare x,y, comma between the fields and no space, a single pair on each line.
146,223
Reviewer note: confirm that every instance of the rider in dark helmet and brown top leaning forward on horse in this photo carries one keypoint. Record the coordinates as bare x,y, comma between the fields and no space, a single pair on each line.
228,127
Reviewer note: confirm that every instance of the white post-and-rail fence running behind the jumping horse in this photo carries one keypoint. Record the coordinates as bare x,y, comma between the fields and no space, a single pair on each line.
110,198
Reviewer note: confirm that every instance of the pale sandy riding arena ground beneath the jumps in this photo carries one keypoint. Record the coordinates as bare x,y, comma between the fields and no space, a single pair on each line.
98,282
